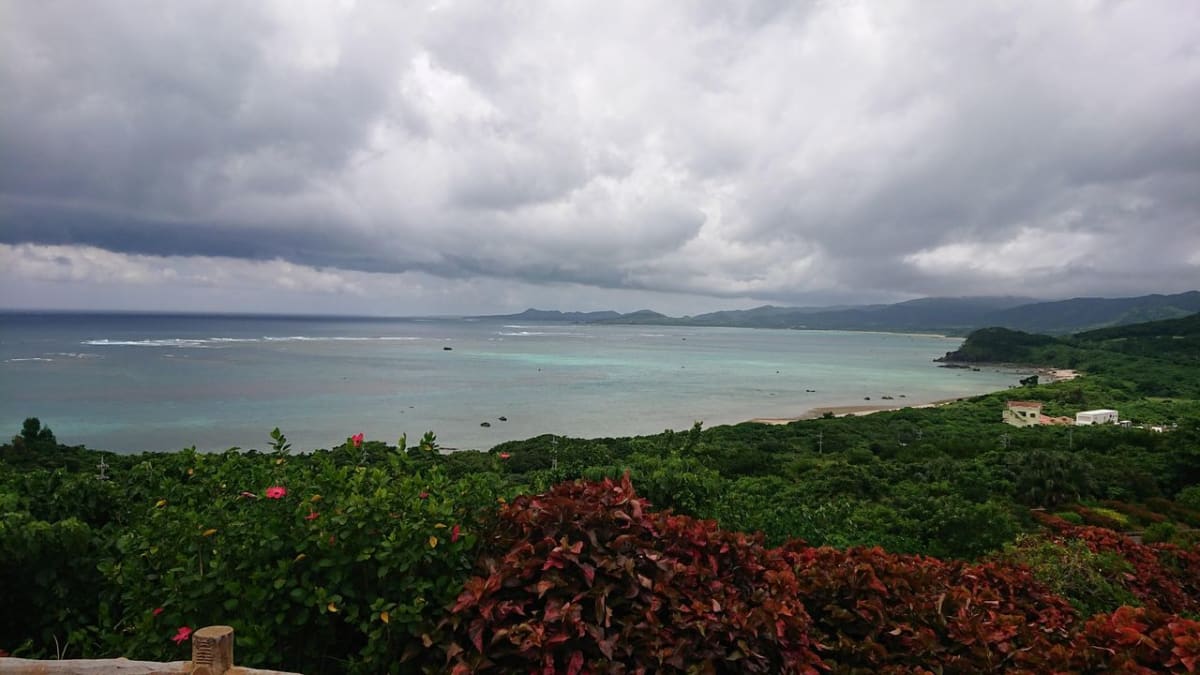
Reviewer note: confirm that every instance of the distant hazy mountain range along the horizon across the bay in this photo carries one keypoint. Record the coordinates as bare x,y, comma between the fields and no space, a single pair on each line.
956,316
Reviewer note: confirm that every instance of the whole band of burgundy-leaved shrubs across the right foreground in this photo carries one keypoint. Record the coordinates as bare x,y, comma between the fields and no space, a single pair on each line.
589,580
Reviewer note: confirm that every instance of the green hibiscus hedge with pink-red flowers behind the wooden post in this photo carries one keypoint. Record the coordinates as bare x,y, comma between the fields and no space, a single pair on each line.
331,561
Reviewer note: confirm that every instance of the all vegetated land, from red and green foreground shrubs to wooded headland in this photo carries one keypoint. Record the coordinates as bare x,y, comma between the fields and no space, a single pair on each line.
935,539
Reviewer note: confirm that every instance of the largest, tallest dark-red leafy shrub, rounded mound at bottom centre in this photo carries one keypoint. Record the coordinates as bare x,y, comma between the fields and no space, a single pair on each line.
586,580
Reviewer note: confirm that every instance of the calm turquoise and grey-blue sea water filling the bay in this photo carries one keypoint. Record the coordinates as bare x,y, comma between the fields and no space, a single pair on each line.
143,383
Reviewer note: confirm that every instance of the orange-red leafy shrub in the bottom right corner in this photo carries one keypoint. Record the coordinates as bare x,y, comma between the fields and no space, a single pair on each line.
1138,641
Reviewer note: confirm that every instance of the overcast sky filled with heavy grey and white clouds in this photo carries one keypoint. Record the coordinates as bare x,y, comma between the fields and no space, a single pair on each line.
475,158
